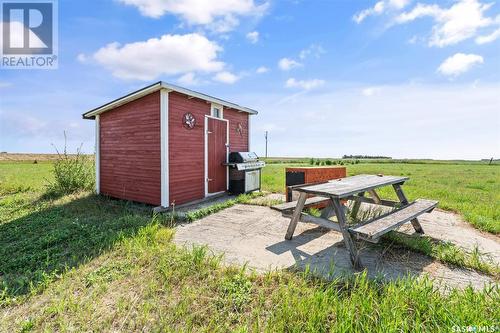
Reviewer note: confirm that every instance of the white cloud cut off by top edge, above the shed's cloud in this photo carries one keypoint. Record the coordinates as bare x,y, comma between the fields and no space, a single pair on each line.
201,12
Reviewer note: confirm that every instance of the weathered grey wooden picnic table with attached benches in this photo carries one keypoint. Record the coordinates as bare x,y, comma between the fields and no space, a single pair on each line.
354,188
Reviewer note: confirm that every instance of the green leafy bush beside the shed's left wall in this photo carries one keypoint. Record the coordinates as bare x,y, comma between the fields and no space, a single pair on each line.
72,172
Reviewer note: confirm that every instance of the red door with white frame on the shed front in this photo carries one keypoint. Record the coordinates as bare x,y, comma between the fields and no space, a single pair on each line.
217,155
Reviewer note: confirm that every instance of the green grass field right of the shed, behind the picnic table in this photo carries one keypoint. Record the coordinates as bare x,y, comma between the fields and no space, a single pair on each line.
470,189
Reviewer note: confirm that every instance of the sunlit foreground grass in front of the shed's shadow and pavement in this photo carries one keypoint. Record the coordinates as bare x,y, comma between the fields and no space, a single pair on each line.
145,283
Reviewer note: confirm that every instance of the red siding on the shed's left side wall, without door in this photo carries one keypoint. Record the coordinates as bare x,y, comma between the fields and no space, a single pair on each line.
130,151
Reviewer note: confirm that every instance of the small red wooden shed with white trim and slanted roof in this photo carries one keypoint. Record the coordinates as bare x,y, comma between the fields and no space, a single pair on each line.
164,144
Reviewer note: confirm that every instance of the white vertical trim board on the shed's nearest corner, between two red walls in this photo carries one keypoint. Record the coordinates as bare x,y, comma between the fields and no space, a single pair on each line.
165,189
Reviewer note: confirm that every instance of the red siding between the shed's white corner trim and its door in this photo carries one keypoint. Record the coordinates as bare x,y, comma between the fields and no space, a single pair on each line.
186,149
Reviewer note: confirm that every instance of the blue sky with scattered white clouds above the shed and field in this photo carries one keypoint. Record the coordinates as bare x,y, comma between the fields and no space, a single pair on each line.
402,78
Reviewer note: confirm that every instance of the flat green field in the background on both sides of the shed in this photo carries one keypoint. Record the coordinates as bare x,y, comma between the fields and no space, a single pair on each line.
470,189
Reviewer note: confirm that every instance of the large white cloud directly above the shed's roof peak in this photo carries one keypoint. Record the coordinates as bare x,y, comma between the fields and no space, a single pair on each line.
168,55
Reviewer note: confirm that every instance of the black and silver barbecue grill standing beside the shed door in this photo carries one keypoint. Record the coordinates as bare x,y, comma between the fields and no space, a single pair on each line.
244,172
